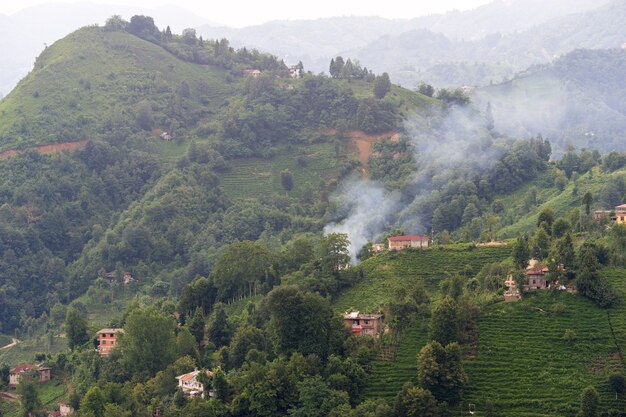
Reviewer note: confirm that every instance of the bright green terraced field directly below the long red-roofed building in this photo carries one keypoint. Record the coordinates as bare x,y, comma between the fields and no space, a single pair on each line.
389,272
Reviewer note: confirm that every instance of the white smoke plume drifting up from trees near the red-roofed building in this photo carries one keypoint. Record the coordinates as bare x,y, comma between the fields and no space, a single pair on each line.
443,144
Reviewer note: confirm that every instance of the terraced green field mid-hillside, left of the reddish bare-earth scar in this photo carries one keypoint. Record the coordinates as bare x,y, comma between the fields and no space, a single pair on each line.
255,177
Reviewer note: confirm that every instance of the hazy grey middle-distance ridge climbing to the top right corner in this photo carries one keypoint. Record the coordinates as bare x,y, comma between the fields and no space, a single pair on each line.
420,55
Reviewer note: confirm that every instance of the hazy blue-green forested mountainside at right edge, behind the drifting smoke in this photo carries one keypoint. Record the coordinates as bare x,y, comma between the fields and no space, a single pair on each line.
580,99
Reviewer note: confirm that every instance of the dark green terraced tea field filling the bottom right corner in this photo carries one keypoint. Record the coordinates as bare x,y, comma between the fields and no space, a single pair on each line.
526,367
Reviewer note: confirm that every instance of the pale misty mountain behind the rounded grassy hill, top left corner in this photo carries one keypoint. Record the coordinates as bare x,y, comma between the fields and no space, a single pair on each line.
24,33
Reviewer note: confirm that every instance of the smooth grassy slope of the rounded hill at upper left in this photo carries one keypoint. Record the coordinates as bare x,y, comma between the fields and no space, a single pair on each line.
90,75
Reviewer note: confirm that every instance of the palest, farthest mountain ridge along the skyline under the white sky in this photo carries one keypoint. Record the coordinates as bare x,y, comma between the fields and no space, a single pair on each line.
315,41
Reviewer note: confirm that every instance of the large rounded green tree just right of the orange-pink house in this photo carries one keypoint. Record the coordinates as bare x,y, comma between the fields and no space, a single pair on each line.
148,343
